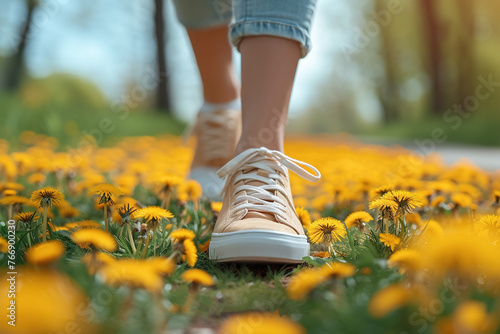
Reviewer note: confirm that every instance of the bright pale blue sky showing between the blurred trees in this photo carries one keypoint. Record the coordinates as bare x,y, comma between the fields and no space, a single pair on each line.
110,43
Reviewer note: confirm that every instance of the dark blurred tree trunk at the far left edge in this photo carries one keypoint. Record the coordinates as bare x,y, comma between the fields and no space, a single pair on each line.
15,65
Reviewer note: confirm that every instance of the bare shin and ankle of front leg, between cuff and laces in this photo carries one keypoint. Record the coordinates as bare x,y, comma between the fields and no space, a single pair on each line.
268,65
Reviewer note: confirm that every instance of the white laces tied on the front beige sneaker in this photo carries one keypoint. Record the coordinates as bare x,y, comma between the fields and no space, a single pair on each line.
262,198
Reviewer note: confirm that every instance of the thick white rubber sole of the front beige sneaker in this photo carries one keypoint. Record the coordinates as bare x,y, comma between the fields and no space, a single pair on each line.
258,246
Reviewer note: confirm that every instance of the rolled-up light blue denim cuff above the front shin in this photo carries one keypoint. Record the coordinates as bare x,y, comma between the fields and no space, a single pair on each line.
241,29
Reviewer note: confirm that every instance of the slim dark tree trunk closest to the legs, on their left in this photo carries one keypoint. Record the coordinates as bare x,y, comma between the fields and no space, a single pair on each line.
163,96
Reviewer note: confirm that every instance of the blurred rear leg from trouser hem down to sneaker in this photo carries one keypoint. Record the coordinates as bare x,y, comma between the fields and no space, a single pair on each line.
218,123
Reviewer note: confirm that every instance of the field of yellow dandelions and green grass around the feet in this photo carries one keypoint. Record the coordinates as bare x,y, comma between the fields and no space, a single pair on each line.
115,240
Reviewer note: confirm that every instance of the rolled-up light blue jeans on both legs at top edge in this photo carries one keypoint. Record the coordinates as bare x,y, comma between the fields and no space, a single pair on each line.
290,19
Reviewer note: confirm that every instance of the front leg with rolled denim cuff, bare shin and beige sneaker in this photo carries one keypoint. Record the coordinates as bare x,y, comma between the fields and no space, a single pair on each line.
258,222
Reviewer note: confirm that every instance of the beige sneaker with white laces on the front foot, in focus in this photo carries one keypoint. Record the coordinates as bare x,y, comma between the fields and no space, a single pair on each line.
258,222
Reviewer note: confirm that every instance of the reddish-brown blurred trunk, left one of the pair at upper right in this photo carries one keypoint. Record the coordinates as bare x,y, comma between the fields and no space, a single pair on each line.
434,34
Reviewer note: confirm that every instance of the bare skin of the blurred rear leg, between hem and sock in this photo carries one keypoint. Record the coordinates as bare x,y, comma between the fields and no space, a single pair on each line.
213,53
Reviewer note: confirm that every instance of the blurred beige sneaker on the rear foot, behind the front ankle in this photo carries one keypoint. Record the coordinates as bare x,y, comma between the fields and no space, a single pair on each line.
217,135
